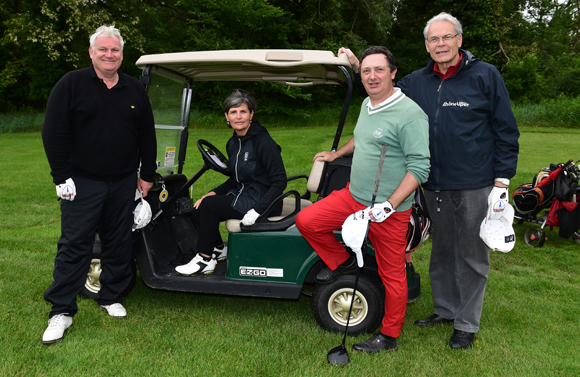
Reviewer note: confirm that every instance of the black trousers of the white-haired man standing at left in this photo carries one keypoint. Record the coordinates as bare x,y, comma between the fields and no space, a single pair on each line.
108,206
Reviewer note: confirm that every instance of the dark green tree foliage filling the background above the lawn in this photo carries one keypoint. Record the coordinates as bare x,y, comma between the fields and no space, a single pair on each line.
534,43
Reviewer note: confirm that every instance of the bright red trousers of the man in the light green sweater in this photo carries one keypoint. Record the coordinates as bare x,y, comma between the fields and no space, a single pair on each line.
317,223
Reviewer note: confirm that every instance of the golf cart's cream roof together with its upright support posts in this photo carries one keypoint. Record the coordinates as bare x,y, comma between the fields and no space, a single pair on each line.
288,67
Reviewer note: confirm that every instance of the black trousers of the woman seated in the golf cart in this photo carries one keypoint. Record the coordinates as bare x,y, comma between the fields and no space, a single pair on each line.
207,218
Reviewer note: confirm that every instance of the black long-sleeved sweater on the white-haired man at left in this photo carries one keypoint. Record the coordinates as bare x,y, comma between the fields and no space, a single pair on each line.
96,132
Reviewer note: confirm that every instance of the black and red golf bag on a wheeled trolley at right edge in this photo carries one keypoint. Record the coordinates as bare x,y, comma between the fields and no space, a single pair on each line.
555,190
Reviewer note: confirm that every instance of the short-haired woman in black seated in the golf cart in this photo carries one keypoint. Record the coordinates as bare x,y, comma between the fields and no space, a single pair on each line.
258,178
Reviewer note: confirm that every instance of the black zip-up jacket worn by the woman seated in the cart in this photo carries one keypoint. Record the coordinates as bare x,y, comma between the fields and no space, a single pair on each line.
258,173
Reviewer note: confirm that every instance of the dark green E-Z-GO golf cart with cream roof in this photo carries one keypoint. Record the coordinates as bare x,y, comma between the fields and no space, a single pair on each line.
271,258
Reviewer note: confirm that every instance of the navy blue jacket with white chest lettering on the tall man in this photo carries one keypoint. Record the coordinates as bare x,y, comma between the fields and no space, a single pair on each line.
473,135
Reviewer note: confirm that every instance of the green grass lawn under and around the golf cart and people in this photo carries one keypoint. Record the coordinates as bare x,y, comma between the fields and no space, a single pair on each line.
529,327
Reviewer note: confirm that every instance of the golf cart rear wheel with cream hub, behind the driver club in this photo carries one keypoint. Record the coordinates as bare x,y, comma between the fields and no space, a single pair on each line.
331,303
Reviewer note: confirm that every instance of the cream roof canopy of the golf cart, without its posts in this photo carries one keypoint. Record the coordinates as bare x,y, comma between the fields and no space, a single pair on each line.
290,67
